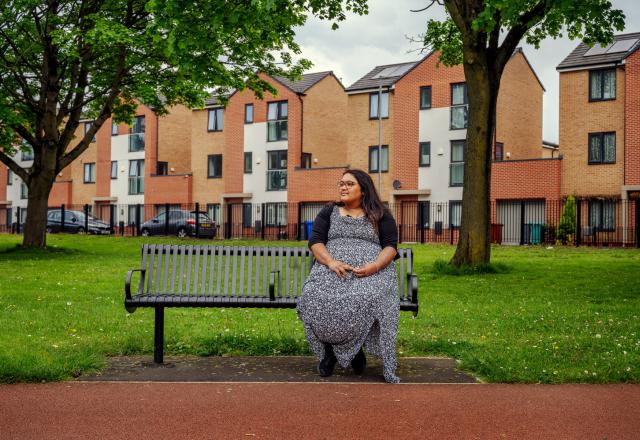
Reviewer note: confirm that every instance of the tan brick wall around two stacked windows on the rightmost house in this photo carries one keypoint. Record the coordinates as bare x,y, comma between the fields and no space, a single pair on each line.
578,118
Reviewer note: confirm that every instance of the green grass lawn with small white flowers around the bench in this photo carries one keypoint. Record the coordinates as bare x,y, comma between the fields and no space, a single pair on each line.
549,315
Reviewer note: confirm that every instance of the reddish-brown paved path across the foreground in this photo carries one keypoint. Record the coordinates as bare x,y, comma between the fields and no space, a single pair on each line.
101,410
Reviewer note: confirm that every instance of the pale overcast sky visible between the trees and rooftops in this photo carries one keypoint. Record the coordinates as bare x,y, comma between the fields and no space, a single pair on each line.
382,38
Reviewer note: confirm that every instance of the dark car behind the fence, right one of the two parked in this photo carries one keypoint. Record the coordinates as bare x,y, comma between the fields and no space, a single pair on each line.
181,223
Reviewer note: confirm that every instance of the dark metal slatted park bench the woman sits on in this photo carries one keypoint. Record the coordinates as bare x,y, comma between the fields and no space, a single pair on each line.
233,276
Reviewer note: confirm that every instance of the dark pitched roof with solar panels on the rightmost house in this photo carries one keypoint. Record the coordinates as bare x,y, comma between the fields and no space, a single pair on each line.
584,56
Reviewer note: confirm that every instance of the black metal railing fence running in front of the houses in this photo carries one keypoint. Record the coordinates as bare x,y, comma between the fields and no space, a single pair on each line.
597,222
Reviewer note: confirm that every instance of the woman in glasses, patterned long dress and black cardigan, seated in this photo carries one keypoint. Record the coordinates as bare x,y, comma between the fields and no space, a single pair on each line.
349,301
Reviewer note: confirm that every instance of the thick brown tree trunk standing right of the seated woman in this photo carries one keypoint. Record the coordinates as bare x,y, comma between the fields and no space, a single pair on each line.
474,245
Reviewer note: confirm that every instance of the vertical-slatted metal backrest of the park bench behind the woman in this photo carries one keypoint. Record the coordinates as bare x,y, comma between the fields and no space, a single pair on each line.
237,271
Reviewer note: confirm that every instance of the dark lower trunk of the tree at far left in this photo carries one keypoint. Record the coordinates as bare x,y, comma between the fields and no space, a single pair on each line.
36,223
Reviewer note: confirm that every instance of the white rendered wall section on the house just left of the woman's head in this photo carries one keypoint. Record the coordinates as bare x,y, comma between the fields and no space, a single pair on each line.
255,141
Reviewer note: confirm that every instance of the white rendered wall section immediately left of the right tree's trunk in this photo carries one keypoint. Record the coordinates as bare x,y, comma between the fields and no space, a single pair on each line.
434,128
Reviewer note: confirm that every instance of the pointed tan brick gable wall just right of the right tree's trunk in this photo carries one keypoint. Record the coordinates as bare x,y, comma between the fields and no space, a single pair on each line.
519,110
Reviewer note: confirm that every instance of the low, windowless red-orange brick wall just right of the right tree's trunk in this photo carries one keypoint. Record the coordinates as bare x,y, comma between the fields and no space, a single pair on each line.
526,179
